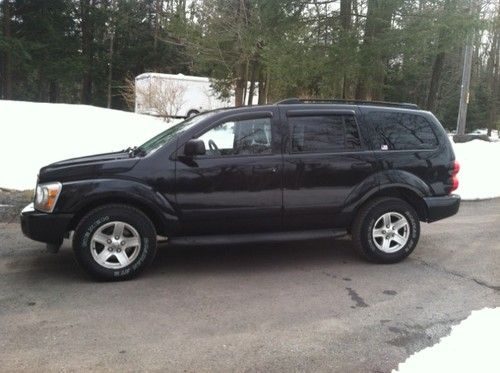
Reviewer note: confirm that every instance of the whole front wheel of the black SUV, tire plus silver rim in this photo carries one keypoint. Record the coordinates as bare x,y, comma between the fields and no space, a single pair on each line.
104,252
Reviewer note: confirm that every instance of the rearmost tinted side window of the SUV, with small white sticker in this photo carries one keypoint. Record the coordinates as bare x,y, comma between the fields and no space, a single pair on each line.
402,131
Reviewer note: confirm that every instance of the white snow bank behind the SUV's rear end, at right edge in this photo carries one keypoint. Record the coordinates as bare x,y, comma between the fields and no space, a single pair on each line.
479,176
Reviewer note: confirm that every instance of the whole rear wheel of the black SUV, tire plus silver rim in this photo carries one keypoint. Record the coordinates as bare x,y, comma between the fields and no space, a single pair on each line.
377,243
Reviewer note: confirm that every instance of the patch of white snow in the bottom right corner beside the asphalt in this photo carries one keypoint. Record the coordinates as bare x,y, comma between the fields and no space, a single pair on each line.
472,346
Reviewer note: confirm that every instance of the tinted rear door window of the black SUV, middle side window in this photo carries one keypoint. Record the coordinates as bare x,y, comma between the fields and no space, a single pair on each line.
323,133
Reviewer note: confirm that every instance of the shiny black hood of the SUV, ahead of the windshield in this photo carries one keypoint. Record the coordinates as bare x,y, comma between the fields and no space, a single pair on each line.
93,166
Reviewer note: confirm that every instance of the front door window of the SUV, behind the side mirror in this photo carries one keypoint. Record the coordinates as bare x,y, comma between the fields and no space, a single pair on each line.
241,137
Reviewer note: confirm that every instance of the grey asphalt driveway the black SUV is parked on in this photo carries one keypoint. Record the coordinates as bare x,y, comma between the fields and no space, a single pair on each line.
308,306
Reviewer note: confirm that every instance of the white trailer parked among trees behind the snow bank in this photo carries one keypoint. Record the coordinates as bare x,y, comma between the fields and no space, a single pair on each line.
177,95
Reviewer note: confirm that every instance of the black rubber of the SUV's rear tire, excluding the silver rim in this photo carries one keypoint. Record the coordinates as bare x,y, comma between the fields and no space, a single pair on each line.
372,217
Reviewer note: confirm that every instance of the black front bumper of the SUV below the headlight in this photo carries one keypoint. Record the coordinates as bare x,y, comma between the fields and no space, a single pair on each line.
39,226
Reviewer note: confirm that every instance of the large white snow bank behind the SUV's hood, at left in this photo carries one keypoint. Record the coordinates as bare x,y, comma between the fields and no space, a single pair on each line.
36,134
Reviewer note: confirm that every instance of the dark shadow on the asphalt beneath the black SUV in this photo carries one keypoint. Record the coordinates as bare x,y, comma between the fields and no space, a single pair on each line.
35,264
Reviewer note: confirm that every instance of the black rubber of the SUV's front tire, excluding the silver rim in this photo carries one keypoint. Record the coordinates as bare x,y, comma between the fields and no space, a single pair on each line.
92,222
